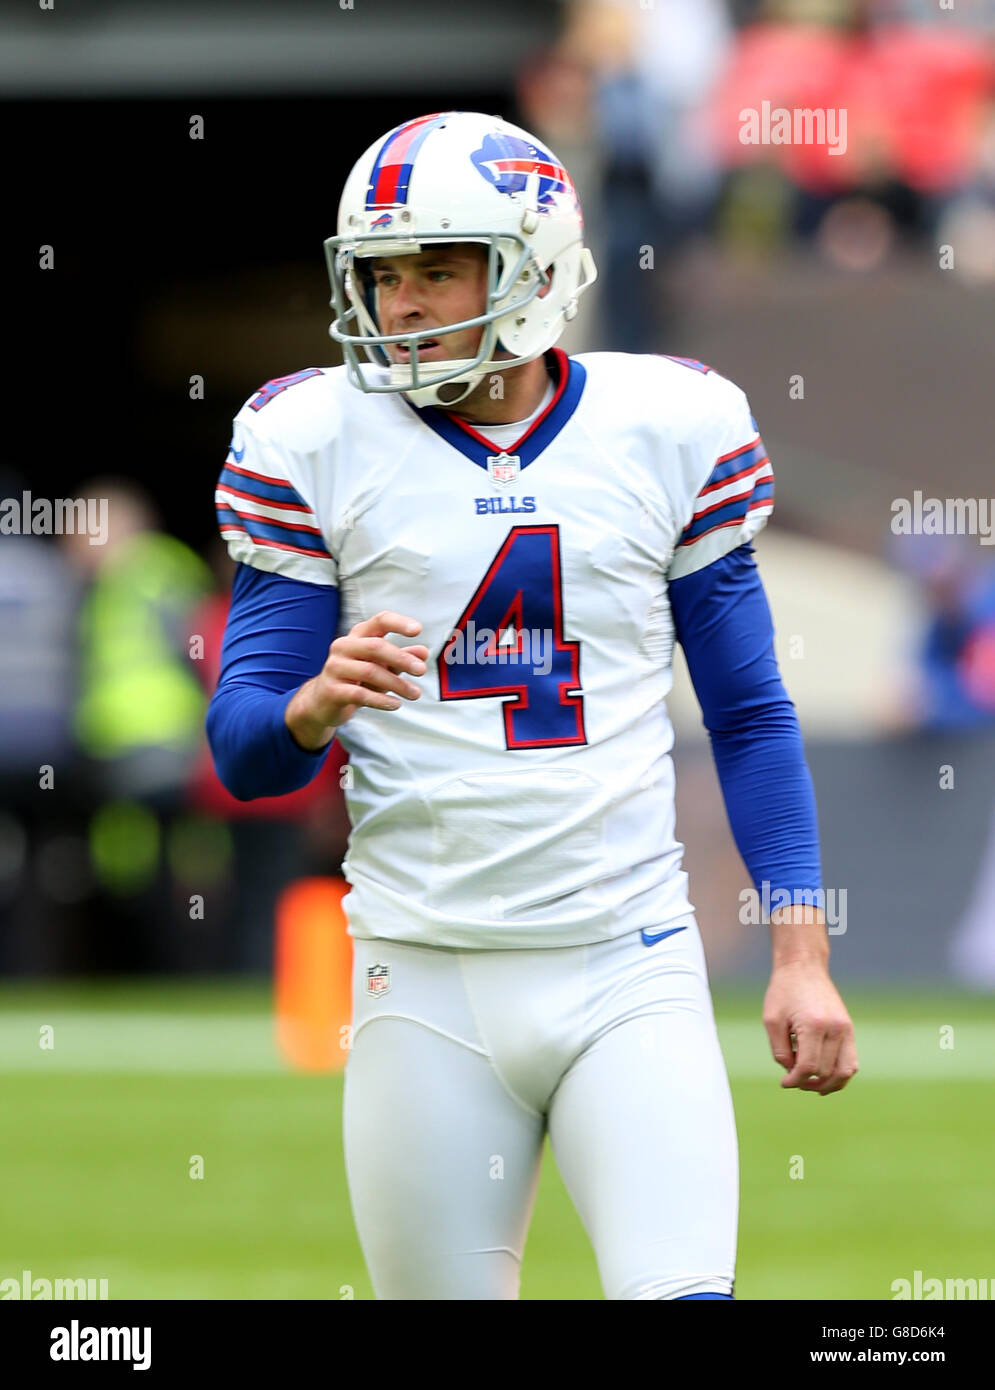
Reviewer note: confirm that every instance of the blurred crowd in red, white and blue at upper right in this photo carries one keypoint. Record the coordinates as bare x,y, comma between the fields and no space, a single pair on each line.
644,104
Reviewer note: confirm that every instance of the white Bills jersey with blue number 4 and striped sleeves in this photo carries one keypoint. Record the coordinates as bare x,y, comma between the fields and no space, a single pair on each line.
527,799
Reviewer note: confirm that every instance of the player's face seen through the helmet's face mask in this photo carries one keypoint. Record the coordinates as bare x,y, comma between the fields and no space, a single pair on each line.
440,286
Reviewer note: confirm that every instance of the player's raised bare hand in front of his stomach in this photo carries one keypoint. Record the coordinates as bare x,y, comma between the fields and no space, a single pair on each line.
363,671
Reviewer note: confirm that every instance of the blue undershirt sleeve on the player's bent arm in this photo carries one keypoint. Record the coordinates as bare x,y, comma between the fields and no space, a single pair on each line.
277,637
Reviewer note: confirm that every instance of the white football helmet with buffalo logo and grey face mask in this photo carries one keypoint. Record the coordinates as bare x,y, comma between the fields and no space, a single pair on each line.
459,177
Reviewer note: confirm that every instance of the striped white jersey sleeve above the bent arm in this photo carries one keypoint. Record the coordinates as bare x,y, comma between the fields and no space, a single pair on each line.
265,512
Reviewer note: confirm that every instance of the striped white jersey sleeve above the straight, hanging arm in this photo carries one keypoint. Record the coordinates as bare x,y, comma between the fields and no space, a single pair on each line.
732,483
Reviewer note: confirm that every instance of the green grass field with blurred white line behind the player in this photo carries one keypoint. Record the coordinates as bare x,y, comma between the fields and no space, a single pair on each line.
101,1129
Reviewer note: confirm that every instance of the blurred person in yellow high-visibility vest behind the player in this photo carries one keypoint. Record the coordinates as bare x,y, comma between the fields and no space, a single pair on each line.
138,723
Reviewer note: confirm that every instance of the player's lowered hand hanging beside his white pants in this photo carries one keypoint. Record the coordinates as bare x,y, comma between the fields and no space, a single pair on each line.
809,1029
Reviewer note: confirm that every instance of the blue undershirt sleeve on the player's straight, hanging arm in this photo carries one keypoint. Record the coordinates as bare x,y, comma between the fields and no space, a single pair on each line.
723,623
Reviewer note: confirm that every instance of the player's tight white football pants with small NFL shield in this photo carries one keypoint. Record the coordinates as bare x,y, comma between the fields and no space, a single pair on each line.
466,1058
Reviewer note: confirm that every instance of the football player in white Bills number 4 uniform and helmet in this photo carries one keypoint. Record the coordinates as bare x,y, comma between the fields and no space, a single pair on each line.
468,557
